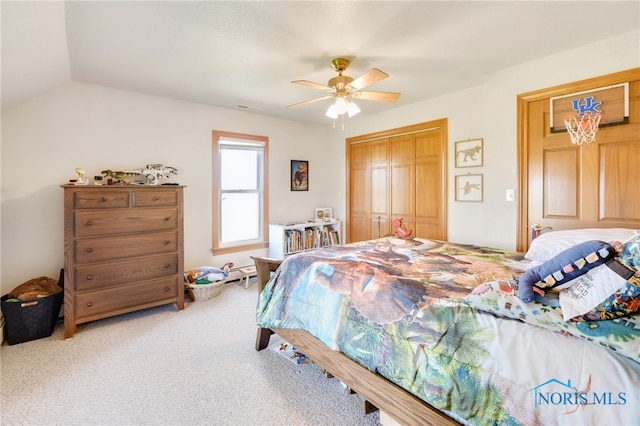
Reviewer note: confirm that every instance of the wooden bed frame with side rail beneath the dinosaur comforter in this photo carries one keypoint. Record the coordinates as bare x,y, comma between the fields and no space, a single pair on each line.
402,406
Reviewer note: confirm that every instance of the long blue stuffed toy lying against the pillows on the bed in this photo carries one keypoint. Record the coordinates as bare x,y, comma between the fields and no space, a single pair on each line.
564,267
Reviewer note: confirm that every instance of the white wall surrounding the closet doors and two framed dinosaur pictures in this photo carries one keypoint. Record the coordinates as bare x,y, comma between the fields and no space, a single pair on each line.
489,111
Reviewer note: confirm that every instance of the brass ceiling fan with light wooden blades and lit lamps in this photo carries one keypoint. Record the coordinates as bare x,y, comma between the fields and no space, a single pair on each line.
344,89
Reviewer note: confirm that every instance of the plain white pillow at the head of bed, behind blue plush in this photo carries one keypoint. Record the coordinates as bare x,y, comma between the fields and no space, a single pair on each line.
549,244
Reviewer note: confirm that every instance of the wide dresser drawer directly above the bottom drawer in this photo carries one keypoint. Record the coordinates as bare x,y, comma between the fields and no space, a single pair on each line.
103,275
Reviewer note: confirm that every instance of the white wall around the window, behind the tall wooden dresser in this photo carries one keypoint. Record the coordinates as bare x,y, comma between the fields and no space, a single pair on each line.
96,128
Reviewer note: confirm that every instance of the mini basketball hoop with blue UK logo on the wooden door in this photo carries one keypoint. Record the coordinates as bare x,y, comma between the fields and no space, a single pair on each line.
582,114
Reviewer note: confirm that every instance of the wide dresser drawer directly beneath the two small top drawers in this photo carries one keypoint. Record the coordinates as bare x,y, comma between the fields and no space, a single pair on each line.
93,223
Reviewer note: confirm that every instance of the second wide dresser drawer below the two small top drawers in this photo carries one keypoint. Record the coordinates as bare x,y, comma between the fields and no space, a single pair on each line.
100,249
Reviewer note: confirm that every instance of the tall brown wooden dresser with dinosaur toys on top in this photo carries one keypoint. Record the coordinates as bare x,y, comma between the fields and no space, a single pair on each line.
123,250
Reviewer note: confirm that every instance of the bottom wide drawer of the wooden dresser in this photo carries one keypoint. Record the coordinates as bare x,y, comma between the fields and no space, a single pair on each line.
100,303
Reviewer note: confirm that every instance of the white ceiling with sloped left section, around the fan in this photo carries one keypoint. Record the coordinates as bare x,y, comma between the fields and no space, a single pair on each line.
247,53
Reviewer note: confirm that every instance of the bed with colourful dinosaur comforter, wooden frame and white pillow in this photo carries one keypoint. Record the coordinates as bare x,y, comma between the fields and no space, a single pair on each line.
432,332
